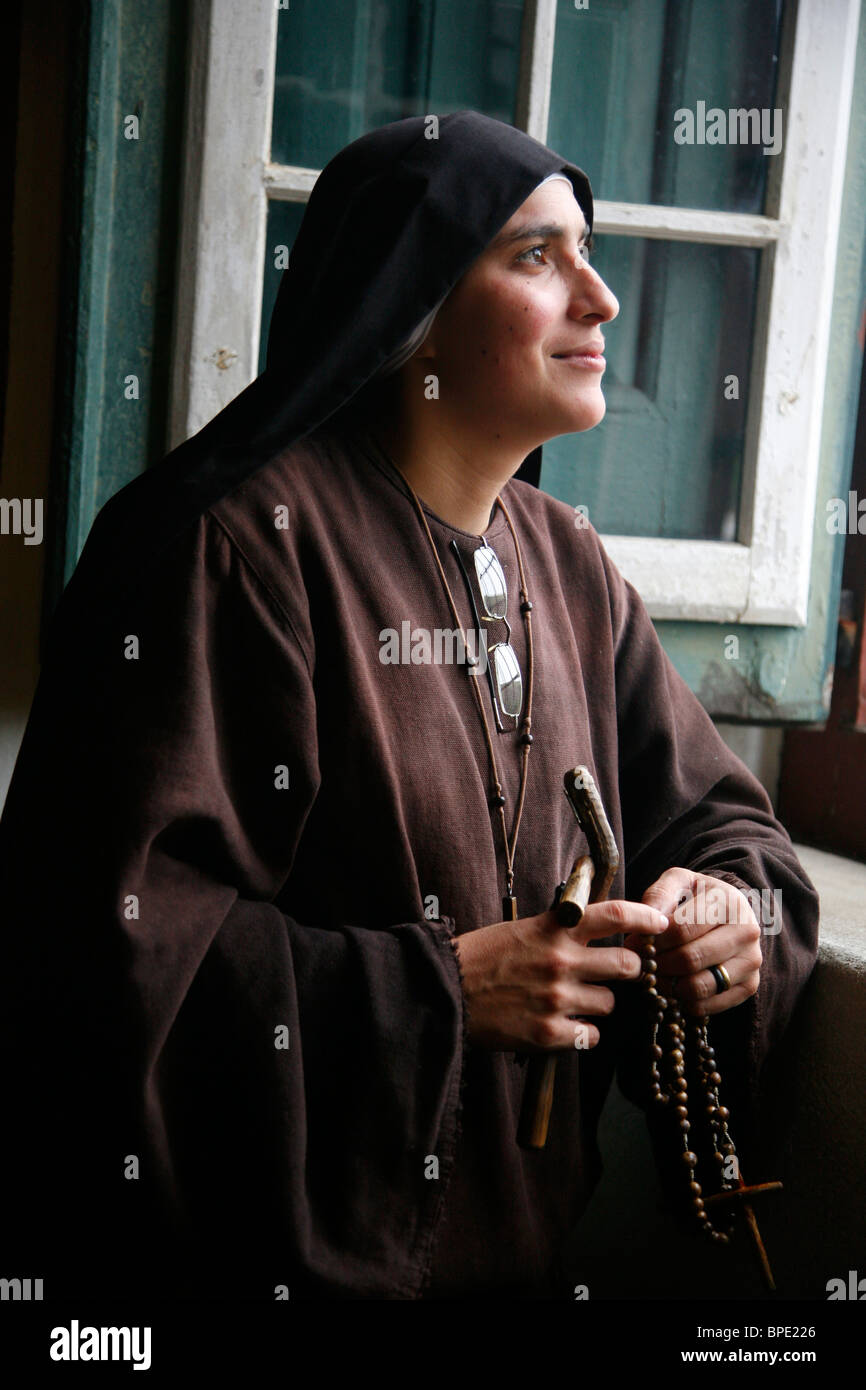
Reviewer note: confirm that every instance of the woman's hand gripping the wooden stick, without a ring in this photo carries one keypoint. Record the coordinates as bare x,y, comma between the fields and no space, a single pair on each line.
525,979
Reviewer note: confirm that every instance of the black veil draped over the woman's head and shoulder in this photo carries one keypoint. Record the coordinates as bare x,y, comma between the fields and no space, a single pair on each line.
393,223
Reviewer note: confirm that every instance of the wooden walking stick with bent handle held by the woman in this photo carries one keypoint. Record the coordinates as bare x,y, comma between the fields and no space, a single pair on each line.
589,882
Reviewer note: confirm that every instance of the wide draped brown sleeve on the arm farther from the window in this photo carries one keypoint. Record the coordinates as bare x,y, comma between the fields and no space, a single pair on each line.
205,1096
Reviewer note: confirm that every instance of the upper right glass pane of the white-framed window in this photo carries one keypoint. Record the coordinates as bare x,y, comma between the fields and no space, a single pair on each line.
623,69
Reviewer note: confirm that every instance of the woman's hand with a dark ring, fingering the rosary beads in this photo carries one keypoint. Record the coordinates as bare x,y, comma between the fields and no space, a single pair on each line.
711,924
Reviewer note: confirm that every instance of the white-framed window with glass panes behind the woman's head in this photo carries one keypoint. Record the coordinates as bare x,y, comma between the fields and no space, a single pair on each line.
703,479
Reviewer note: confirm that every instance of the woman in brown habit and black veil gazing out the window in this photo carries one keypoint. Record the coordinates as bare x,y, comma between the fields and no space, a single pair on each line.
298,935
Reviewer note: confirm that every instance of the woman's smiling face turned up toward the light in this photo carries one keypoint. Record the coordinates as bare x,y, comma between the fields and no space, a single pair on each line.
518,344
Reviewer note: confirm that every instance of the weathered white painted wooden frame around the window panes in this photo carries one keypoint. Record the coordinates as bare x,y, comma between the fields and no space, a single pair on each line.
764,576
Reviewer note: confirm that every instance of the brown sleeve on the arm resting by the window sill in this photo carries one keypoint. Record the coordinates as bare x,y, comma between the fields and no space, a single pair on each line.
689,801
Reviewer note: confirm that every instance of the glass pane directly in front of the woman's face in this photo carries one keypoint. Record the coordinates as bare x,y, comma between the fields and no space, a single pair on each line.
668,458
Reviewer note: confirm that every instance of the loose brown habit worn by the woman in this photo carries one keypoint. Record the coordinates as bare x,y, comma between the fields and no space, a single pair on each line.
177,906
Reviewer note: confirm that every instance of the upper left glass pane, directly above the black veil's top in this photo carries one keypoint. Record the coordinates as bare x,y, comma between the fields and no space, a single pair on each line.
348,66
